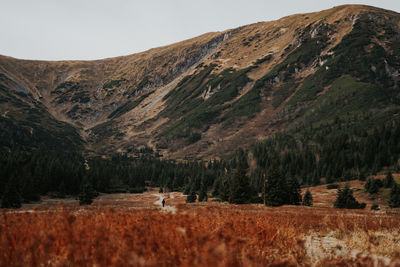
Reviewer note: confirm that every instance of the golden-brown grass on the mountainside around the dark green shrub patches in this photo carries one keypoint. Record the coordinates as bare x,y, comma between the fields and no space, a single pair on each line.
87,93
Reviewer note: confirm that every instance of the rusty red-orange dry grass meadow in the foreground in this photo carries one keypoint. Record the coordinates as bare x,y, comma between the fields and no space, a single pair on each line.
134,230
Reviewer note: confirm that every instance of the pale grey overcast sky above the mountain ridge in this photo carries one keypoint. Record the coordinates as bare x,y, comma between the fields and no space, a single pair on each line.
95,29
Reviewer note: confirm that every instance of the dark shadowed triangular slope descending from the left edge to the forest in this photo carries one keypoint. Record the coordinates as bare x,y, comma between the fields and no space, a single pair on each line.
26,124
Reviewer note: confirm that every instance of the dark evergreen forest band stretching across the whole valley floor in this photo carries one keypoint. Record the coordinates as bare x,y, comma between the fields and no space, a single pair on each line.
284,164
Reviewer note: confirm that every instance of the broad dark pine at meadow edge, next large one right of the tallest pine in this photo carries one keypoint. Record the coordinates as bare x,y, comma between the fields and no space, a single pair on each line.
274,187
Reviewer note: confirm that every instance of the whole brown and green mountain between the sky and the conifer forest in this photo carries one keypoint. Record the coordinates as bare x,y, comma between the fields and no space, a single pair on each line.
207,96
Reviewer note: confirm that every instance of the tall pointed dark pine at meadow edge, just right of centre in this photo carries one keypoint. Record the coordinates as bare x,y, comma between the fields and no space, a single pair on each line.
240,190
